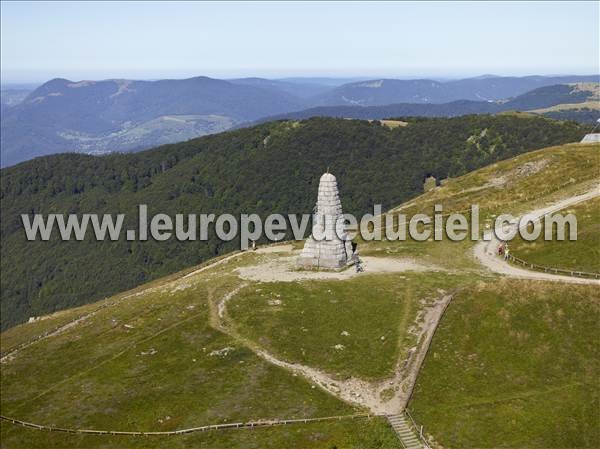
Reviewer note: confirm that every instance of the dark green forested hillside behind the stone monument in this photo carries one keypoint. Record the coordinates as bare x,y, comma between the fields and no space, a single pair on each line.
273,167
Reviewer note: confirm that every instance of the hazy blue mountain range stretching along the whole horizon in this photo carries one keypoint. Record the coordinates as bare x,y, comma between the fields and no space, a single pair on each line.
99,117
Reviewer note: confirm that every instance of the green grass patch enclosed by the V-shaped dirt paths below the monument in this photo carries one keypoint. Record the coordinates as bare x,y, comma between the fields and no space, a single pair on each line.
376,311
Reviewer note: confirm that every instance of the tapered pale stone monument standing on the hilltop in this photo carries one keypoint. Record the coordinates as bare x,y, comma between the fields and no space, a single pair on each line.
327,248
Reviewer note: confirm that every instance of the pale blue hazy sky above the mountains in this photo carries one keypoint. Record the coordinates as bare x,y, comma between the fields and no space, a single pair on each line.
178,39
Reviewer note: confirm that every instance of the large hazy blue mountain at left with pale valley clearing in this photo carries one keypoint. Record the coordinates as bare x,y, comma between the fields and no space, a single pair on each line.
123,115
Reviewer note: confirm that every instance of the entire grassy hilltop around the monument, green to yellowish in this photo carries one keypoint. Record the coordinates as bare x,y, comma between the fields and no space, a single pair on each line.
512,363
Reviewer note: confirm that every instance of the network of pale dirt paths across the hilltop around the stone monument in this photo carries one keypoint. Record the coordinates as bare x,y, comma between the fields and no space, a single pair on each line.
388,396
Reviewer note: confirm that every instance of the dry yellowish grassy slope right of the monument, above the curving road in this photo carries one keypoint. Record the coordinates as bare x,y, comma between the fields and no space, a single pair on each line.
506,187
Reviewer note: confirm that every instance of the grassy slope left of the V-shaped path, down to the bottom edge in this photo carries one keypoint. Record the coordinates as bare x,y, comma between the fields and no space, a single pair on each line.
98,377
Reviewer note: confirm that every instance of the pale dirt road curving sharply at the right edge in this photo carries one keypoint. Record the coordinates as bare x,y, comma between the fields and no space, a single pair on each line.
486,250
